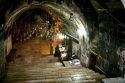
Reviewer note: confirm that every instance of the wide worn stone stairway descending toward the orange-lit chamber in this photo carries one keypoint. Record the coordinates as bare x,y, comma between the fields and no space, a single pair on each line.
48,70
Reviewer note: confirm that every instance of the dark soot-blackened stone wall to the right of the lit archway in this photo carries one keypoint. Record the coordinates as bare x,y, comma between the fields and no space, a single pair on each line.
106,38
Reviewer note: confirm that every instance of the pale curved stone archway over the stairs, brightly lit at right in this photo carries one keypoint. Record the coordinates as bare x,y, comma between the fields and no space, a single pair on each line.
70,26
